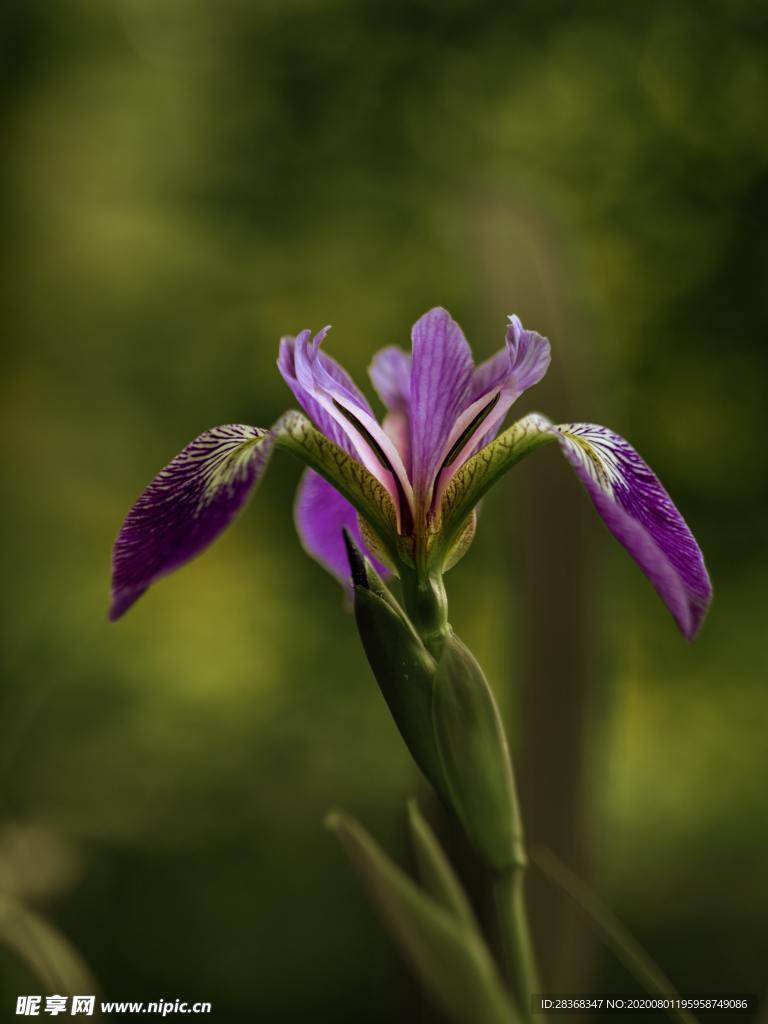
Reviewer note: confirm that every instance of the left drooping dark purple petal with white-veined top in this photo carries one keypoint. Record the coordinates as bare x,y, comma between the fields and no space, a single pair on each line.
186,507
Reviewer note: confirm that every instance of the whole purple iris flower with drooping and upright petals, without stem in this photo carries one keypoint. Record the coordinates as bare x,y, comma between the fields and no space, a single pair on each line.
406,489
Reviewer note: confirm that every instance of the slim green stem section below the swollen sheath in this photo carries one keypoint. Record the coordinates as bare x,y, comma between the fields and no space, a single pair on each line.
514,935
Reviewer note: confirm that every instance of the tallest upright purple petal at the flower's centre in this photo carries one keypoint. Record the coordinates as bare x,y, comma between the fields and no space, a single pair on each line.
440,391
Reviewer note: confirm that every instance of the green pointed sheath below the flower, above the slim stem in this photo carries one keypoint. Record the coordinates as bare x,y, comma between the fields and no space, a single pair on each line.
446,713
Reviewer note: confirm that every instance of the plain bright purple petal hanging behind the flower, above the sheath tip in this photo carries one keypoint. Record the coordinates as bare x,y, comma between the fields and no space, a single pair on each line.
322,515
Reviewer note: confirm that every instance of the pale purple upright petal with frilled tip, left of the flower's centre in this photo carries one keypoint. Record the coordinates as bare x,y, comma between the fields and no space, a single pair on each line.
338,408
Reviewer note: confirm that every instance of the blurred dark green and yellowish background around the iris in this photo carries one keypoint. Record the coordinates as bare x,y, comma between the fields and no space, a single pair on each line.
183,183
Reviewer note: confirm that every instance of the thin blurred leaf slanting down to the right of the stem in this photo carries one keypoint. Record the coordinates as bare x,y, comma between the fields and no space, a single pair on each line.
626,949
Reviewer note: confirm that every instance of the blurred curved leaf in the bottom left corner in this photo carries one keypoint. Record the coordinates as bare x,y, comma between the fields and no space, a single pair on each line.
50,956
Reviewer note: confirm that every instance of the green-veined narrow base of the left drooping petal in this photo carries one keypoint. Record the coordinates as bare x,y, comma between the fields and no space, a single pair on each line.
296,435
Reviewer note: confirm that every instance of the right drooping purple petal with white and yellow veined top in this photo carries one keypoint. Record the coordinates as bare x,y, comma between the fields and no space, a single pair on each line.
642,516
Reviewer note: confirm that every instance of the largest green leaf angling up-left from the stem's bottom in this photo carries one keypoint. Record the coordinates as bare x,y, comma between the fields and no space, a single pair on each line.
448,956
